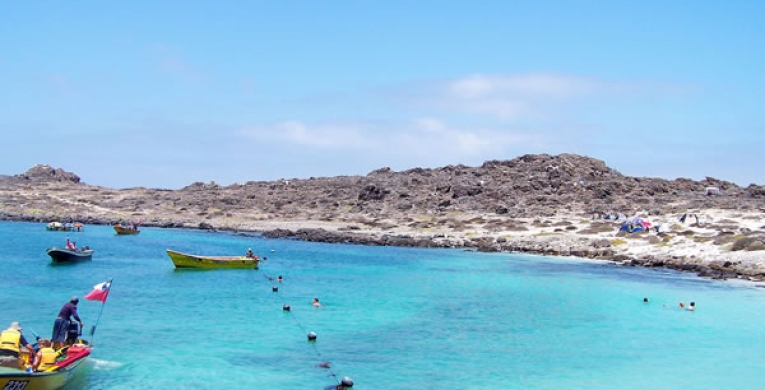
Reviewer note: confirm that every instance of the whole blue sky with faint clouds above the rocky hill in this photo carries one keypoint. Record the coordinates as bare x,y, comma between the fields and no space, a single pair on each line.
167,93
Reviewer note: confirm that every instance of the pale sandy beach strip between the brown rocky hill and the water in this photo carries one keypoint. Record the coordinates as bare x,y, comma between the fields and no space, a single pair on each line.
706,243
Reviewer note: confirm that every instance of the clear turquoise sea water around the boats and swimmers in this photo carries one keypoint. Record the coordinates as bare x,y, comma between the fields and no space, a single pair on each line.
393,318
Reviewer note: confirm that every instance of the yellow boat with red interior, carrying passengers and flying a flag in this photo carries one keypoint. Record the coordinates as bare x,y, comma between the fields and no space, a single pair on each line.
51,379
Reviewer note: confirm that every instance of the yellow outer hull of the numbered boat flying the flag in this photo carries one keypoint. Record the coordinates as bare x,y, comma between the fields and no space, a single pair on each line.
47,380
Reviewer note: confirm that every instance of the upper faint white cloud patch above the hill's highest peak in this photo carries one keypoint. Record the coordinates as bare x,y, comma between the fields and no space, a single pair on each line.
531,96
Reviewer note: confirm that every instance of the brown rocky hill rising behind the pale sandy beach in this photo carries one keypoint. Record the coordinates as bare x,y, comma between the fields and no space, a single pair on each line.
528,186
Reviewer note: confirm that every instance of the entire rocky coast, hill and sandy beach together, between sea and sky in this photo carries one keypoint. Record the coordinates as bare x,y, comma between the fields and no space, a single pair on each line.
536,204
